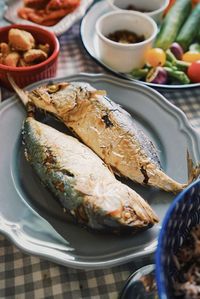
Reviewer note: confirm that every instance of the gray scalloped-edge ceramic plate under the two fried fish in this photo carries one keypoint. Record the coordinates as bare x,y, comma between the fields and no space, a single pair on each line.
33,219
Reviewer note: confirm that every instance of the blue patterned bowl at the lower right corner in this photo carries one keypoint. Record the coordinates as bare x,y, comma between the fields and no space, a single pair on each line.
183,214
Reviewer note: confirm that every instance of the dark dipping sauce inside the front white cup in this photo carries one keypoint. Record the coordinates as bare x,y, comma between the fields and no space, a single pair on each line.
125,37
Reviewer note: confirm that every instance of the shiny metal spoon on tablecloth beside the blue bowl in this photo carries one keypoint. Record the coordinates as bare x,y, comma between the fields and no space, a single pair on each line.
141,284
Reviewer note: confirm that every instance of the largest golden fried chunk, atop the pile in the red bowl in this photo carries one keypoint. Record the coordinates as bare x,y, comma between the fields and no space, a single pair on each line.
20,40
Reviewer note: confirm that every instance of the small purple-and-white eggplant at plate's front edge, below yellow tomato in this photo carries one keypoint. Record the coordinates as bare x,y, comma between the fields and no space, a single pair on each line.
157,75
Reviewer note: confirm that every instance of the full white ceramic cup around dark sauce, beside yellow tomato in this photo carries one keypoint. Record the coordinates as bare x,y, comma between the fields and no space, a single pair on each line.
119,56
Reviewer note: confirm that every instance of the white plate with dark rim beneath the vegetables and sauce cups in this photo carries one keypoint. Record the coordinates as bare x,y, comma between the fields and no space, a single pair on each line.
89,41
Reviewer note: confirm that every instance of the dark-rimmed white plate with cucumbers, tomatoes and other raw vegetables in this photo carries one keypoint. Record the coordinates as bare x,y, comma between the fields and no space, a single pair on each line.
174,60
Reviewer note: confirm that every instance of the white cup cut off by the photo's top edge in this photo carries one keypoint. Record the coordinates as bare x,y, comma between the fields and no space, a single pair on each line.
155,7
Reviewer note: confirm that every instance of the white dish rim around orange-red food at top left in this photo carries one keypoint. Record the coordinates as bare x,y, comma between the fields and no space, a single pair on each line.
62,26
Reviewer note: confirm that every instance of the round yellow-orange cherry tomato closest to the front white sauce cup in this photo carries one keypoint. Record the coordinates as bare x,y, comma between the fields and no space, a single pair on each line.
155,57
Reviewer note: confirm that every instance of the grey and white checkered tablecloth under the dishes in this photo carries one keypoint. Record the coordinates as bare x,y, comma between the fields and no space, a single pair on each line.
24,276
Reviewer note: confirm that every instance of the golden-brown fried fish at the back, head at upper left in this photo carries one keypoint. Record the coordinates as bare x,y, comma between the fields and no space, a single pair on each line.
107,129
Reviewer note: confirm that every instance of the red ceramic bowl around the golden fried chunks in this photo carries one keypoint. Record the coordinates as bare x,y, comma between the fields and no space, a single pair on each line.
26,75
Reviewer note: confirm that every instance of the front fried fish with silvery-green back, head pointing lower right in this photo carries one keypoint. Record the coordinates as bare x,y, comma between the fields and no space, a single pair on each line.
83,184
